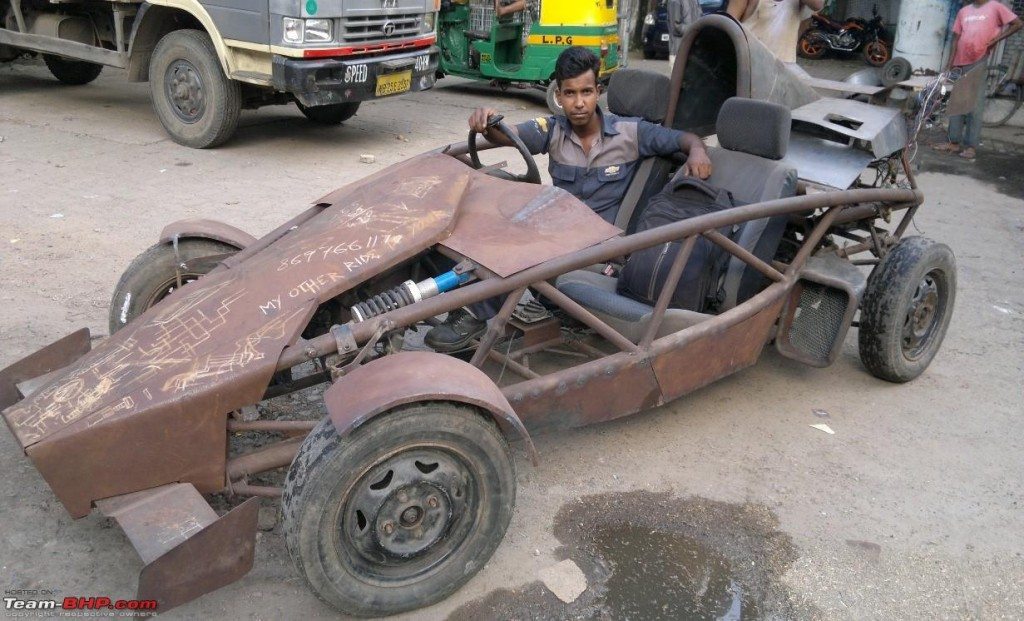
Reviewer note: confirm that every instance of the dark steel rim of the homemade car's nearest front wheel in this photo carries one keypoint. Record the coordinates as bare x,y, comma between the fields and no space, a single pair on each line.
406,516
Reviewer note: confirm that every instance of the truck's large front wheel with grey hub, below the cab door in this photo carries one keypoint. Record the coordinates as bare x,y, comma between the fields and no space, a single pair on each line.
197,104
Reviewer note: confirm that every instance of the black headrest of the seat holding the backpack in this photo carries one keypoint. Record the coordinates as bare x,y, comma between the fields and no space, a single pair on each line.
756,128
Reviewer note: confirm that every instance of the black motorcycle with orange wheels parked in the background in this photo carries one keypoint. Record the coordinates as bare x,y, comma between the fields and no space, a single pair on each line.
854,35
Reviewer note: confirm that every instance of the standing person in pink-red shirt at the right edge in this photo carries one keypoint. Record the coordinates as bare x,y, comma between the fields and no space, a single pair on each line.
978,28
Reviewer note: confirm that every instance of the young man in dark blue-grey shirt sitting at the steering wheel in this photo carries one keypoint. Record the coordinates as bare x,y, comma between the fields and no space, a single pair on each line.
592,155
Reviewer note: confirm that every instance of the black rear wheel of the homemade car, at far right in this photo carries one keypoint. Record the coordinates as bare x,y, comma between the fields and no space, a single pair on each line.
907,309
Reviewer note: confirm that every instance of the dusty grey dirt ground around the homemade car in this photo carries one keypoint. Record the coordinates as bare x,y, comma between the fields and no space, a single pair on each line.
723,505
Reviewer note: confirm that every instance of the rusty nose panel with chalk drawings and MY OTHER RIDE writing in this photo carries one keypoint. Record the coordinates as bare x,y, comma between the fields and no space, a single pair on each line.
154,395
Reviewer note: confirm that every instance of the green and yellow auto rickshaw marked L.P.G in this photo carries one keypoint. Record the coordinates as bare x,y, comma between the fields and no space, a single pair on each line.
522,50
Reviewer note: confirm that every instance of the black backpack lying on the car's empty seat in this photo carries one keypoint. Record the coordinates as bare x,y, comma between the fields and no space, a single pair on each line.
646,271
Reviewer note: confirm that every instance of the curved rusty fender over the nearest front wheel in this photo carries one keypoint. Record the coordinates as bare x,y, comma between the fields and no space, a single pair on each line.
414,377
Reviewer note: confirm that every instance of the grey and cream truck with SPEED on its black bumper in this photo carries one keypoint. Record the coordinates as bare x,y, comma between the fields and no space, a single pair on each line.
206,61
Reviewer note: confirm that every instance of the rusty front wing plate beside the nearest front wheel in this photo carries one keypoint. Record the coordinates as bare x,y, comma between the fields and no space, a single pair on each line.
188,550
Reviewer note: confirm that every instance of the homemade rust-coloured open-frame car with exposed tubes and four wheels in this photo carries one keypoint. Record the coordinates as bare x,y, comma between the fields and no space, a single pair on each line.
403,493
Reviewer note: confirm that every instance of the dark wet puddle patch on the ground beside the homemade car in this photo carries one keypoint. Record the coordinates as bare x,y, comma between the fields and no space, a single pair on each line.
653,557
